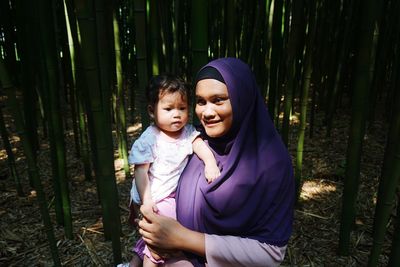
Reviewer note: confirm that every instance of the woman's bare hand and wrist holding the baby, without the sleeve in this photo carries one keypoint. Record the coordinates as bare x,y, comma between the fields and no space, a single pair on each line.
168,234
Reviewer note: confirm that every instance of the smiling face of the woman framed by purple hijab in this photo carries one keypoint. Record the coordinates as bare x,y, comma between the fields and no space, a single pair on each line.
213,107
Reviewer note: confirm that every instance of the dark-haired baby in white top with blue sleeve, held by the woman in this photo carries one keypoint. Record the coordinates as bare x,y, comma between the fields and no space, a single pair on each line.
161,152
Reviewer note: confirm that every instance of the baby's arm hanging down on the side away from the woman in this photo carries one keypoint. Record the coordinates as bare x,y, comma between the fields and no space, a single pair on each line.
143,187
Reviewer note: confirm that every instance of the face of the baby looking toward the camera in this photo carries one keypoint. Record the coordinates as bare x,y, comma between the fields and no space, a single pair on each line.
171,113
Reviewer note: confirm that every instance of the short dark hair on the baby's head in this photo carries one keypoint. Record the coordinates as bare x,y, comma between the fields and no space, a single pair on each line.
165,83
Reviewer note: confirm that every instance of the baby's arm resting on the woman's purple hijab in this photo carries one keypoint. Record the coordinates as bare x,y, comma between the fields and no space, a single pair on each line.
204,153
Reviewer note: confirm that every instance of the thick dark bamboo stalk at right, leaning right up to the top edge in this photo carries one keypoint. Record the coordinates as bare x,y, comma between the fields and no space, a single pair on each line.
361,85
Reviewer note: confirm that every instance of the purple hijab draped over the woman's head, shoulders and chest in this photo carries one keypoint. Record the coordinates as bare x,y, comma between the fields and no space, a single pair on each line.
254,195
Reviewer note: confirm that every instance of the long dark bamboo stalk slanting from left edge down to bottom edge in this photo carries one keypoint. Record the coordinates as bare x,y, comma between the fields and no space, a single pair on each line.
32,167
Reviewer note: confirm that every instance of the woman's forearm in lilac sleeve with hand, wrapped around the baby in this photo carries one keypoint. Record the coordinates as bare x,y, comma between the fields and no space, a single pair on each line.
167,234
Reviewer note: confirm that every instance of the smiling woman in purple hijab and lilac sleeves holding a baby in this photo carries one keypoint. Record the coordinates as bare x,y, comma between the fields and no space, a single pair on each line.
243,218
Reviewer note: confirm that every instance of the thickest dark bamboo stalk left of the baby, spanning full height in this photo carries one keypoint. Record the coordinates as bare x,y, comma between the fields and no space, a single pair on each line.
99,115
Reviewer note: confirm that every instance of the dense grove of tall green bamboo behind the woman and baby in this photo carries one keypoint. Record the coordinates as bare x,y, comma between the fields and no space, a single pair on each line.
84,64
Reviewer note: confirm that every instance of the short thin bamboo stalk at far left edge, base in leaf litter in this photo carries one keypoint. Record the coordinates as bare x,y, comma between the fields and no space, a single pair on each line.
10,155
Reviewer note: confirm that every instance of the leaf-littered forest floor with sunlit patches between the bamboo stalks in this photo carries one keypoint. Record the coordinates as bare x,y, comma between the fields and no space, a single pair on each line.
315,234
